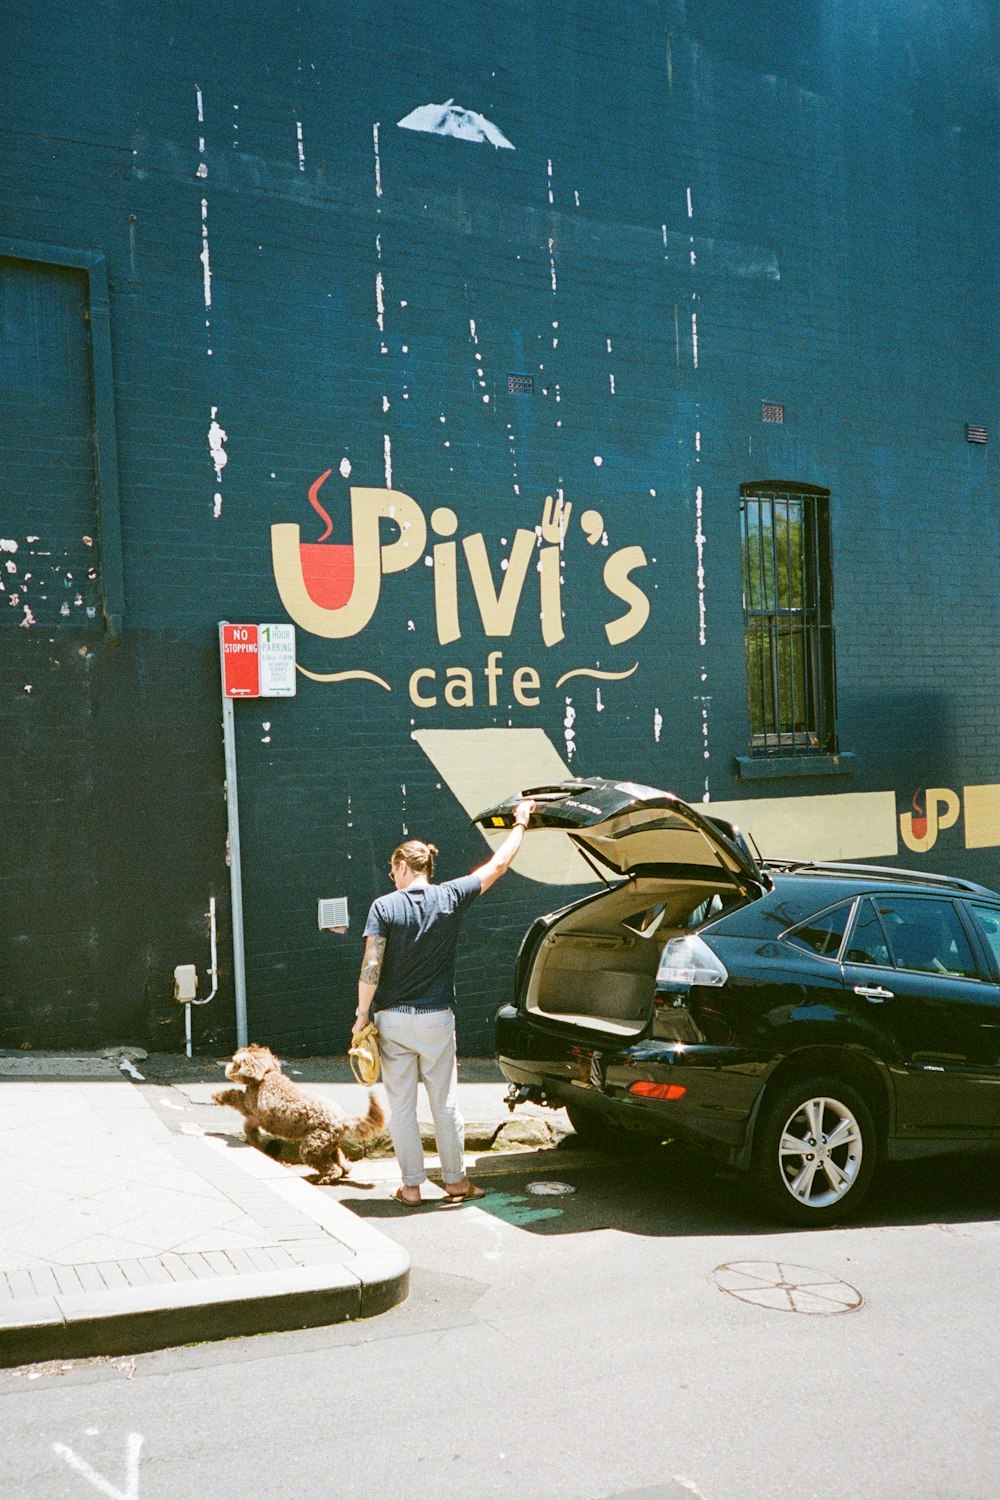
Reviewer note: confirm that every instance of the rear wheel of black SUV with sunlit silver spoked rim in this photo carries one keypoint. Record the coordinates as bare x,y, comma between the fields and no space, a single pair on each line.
815,1153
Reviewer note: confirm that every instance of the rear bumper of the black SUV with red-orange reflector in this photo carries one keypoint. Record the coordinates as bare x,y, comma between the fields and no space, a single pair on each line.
720,1084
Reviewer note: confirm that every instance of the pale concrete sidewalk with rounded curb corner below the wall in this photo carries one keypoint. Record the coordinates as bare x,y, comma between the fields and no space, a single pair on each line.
136,1217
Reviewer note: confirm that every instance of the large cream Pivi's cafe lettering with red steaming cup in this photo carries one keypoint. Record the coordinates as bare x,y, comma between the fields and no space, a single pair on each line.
334,589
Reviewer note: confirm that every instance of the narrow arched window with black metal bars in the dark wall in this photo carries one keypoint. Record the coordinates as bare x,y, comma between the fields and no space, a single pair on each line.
789,619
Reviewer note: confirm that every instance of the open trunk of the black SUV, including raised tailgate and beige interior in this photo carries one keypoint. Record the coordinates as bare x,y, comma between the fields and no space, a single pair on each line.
597,962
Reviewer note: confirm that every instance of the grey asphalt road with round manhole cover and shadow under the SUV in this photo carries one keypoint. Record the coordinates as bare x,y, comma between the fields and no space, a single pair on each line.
642,1336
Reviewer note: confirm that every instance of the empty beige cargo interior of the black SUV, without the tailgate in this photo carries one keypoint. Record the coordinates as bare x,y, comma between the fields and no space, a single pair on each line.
597,964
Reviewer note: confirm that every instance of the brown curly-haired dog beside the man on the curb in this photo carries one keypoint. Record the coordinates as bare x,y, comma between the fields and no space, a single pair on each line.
275,1105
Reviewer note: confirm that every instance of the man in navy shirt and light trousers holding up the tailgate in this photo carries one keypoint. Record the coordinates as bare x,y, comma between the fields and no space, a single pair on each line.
409,971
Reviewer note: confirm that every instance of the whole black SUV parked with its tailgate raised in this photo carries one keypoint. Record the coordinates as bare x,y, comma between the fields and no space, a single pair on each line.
800,1021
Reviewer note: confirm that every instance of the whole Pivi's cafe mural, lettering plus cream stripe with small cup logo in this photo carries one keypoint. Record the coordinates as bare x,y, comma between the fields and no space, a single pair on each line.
332,590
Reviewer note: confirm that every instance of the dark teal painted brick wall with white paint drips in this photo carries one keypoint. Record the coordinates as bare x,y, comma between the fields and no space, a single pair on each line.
707,206
